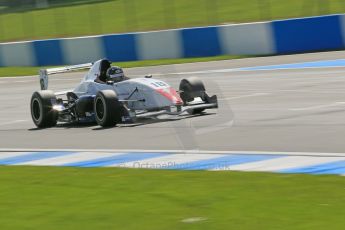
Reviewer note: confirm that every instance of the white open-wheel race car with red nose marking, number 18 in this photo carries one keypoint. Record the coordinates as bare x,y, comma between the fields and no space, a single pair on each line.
112,102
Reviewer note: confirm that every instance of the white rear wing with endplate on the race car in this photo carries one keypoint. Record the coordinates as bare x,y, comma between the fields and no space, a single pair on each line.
44,73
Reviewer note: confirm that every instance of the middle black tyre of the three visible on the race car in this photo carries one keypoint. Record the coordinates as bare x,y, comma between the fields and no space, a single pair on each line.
107,108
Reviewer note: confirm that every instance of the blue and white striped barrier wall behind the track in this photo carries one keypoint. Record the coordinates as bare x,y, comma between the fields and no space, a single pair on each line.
262,38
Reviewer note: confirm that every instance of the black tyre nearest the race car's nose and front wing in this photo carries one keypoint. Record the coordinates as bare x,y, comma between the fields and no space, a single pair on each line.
191,88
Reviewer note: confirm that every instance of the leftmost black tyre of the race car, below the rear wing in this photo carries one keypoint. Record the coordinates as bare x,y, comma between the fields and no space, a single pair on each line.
42,112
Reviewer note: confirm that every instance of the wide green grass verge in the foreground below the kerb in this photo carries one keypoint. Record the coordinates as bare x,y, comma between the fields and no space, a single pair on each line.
110,198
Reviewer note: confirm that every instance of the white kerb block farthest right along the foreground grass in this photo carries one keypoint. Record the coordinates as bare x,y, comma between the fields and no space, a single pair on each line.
283,163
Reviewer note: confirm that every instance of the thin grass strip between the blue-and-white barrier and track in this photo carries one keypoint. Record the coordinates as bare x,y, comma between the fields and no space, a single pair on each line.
29,71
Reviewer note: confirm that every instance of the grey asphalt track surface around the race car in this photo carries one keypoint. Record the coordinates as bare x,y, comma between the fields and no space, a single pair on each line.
285,110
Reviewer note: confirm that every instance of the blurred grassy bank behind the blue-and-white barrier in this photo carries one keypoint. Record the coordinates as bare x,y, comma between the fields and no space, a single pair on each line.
40,19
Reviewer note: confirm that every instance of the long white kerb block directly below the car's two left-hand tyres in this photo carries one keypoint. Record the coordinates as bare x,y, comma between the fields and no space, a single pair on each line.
72,158
